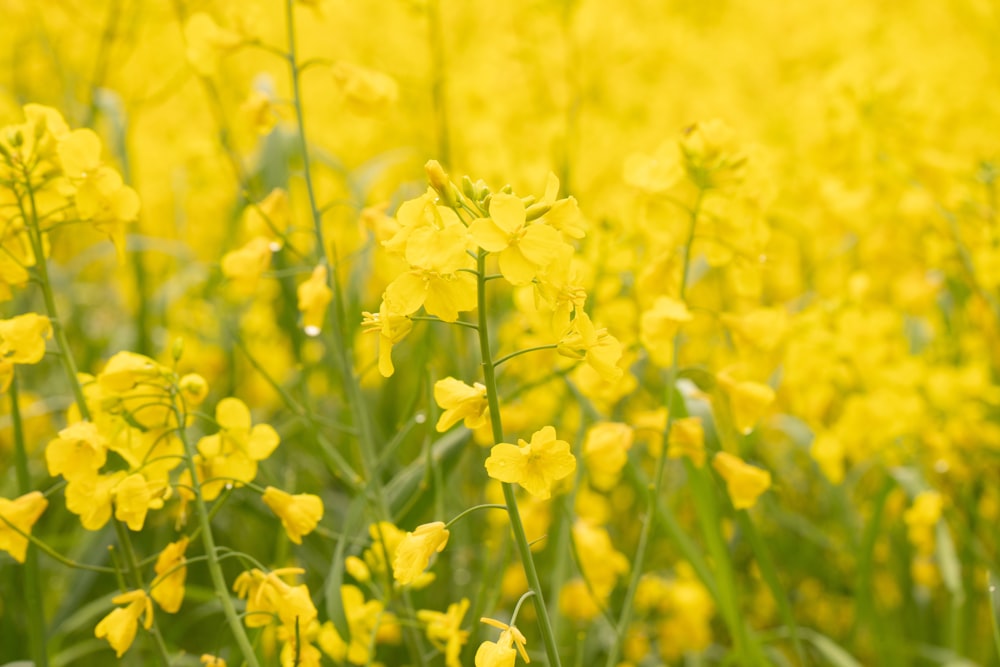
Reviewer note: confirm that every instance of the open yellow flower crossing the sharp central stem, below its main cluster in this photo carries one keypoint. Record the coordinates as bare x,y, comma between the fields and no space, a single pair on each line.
536,466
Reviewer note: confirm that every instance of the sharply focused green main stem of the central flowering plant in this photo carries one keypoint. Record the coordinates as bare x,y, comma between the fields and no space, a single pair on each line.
520,538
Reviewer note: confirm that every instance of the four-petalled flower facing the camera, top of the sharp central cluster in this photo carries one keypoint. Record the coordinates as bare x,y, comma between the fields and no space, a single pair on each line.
525,249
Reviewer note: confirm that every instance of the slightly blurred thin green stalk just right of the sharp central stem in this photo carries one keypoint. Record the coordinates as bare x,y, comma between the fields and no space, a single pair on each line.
661,459
